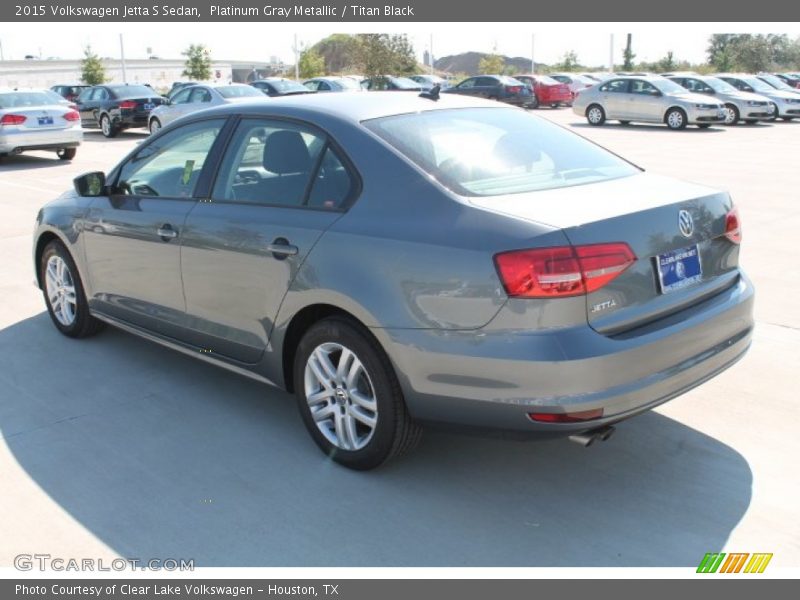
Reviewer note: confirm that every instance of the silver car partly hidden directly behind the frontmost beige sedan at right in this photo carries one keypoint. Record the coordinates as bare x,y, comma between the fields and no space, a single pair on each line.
739,105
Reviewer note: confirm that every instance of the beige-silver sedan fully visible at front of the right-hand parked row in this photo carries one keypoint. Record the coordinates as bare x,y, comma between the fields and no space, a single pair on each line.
647,99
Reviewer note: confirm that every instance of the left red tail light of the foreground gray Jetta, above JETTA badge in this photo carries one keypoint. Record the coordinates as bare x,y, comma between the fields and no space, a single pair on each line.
562,270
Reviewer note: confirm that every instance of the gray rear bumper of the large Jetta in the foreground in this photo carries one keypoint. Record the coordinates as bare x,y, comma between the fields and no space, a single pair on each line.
494,379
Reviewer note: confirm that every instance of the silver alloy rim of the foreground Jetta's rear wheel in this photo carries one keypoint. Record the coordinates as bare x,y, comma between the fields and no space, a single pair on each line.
340,396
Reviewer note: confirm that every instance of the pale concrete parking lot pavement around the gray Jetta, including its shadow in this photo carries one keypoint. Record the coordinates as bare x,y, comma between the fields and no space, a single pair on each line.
113,446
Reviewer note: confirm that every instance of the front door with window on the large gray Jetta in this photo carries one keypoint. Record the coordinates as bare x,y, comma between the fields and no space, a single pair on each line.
132,236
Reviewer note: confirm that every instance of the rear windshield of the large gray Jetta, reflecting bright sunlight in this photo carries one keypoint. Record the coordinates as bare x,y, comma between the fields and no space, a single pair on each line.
495,151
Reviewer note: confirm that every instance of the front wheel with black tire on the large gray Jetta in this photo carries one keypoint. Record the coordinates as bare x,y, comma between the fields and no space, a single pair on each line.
63,293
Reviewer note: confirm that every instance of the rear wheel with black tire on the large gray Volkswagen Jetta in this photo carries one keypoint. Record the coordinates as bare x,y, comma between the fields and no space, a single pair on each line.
359,434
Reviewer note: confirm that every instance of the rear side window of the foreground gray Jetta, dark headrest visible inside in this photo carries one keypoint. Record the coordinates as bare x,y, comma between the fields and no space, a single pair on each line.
277,163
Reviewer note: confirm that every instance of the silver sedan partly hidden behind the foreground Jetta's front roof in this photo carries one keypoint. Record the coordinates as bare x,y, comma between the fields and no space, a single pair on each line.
199,97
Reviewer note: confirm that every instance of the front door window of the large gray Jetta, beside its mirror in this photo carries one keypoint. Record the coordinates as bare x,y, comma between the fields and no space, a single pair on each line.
170,166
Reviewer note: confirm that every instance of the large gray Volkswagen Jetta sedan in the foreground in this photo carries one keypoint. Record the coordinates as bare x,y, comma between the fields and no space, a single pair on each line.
395,259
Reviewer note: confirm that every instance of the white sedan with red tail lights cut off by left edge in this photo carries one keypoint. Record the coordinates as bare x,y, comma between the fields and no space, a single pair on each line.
38,120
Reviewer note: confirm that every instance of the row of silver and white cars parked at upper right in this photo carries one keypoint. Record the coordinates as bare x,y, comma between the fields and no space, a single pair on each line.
681,99
